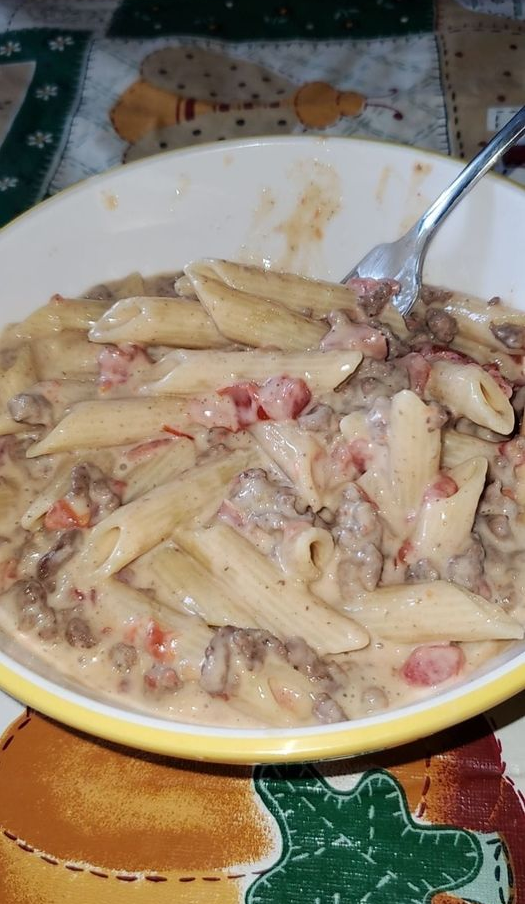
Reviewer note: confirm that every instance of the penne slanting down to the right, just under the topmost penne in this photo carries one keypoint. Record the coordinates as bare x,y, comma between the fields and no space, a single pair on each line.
255,321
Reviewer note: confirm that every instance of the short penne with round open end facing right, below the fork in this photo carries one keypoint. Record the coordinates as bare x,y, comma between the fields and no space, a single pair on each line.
467,389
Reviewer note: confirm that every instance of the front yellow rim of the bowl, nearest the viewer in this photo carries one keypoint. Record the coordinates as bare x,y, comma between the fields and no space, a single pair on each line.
351,741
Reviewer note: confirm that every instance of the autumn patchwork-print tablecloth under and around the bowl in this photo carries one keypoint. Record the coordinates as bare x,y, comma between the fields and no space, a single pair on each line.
84,85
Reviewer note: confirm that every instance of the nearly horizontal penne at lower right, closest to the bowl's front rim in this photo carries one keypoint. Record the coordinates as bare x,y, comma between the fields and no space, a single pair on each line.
433,612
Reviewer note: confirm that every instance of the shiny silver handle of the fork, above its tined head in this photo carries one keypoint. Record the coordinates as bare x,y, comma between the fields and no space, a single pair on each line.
426,226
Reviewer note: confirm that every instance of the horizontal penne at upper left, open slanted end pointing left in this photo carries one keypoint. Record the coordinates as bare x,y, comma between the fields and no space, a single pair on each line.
157,321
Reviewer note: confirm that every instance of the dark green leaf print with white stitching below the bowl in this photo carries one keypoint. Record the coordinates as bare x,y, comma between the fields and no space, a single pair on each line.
357,847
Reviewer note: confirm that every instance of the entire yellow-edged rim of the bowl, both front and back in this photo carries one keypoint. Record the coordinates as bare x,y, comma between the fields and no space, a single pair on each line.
211,747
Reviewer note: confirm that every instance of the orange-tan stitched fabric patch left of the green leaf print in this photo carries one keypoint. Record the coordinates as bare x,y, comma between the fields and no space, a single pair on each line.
89,801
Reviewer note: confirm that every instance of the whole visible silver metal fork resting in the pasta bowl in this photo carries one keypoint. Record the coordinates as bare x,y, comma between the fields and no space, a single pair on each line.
403,260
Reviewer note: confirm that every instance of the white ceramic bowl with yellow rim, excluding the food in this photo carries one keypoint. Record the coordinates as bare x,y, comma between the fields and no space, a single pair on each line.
307,204
